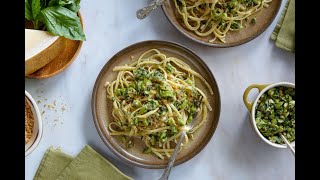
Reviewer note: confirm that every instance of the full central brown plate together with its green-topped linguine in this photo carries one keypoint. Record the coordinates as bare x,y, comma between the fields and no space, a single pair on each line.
144,97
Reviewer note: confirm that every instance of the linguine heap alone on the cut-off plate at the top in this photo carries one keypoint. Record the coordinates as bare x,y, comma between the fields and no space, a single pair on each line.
217,17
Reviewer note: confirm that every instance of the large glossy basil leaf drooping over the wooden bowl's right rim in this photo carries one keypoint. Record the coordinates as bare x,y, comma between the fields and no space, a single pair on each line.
61,21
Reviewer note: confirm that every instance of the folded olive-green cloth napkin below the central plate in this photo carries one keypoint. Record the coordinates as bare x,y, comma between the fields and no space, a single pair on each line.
87,165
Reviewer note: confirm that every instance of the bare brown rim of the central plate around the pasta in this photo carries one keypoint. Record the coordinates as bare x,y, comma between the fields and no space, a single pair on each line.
102,108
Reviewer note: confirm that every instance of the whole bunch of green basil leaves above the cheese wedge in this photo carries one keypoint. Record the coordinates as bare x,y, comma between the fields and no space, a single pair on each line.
58,17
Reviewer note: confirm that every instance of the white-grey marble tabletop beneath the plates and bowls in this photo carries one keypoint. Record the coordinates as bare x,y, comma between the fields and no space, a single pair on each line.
234,152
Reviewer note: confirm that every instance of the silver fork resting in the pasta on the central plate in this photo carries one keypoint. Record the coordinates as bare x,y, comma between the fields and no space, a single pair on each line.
167,170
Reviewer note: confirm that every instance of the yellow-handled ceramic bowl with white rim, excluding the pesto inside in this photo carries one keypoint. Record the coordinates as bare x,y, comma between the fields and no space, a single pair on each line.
251,106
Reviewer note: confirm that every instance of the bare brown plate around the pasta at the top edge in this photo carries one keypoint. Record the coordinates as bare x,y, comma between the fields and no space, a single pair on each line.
264,19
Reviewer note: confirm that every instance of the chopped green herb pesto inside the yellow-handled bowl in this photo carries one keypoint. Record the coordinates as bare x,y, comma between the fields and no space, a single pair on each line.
275,113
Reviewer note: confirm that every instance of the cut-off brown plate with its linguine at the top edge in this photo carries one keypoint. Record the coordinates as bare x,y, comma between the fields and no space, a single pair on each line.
221,23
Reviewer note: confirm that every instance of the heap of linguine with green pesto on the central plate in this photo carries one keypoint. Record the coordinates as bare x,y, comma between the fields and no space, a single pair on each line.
153,98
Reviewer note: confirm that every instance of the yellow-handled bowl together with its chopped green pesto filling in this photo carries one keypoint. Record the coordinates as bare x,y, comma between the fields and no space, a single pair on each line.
273,112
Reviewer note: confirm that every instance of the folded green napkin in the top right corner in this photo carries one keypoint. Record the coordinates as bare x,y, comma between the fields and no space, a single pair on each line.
284,32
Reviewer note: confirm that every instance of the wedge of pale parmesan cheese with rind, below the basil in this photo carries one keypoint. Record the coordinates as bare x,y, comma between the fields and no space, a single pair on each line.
40,48
